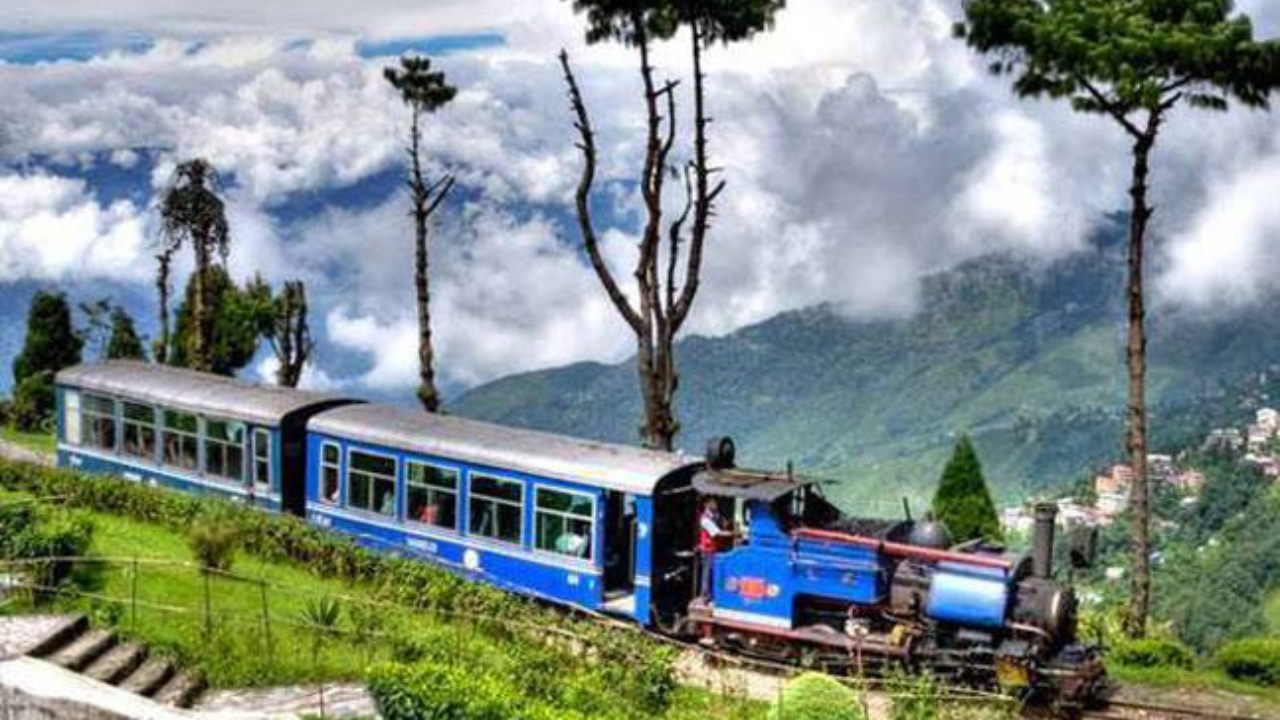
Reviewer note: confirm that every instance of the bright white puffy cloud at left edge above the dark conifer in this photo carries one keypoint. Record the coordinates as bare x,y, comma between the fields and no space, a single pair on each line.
52,229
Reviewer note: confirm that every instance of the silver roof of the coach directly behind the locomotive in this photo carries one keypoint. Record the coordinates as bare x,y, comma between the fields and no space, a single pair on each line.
614,467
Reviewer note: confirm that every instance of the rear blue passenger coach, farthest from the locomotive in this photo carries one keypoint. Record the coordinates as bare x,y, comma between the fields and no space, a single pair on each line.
188,431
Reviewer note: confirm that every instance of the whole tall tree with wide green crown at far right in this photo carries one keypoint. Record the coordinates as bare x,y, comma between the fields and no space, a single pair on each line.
1132,62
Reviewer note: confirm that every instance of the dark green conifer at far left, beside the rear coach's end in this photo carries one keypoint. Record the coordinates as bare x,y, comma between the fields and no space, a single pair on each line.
52,344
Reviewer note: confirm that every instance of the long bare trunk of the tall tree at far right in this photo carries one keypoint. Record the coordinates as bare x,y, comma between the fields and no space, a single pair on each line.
1136,441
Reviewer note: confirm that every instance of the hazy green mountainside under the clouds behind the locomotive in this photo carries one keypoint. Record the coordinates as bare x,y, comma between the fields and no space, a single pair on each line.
1028,361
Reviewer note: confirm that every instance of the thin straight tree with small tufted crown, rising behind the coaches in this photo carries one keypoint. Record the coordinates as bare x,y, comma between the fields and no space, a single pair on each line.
424,92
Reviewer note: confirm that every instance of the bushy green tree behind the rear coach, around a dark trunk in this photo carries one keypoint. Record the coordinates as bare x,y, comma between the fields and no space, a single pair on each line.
237,321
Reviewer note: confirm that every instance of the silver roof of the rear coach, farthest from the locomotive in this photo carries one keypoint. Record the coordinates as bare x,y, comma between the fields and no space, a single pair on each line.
189,390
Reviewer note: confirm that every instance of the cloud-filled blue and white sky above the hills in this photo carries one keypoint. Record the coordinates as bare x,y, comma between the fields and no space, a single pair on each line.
863,148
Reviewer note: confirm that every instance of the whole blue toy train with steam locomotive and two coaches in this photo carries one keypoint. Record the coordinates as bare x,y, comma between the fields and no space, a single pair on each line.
606,528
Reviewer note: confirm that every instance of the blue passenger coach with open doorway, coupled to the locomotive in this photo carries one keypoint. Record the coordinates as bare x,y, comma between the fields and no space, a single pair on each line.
560,518
